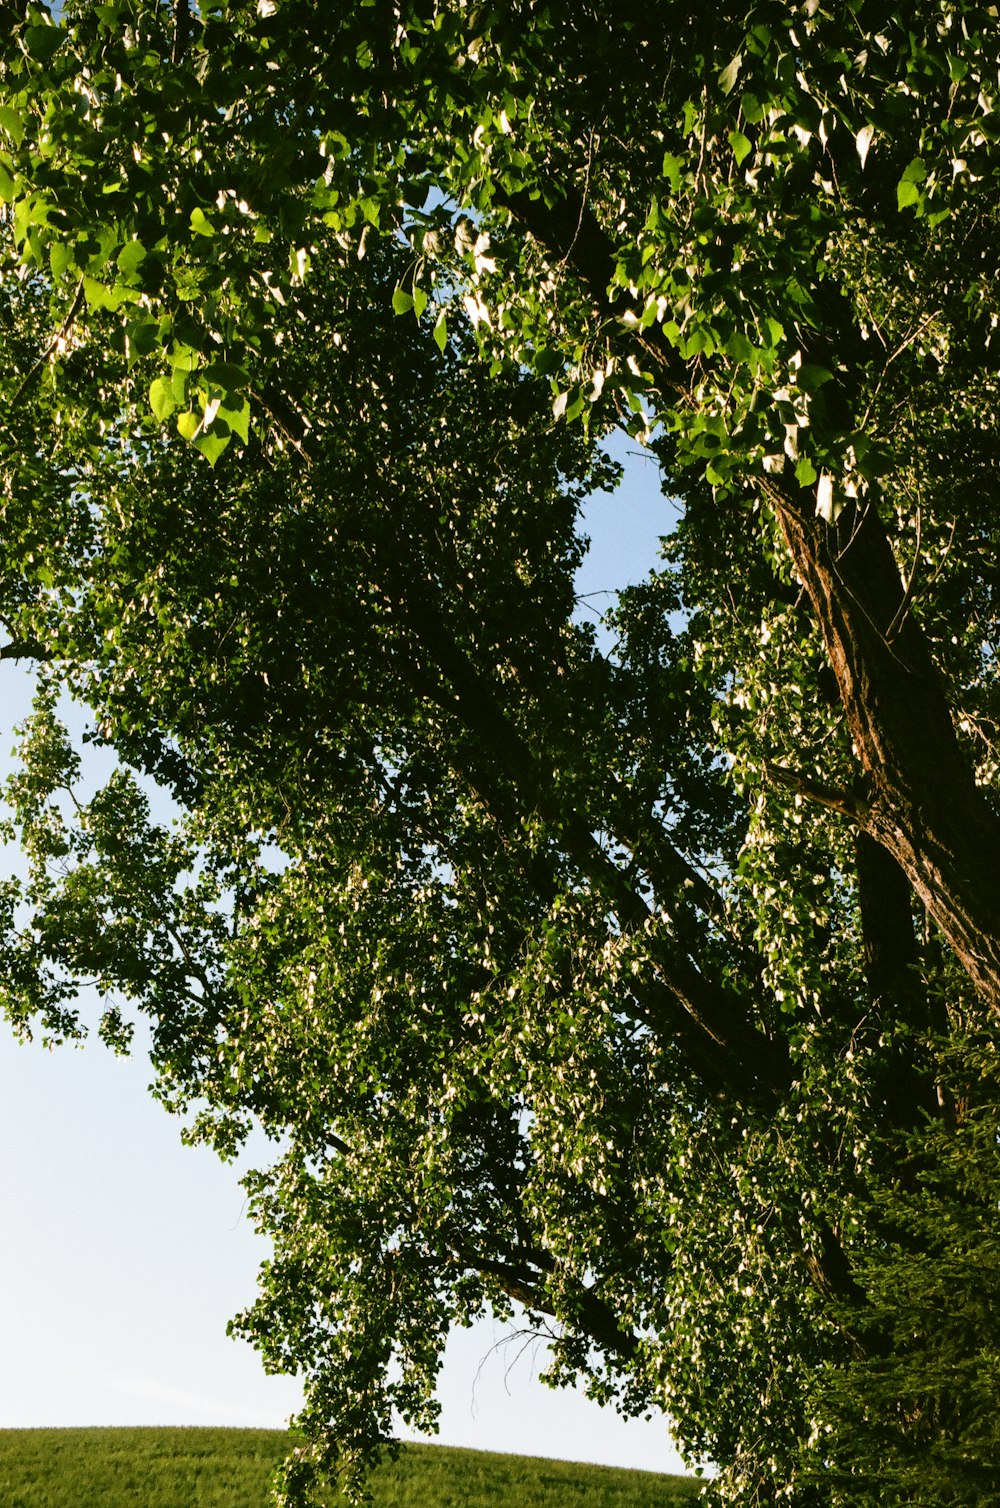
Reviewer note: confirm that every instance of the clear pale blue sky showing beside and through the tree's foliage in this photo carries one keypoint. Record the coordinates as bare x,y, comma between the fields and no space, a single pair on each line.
124,1252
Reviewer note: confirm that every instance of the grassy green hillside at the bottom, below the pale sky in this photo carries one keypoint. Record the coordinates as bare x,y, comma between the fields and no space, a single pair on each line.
232,1470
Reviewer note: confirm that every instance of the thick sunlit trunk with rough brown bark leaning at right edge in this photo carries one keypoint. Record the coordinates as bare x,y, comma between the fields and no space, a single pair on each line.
922,800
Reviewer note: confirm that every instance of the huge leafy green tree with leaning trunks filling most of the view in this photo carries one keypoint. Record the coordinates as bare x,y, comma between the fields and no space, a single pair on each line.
654,990
